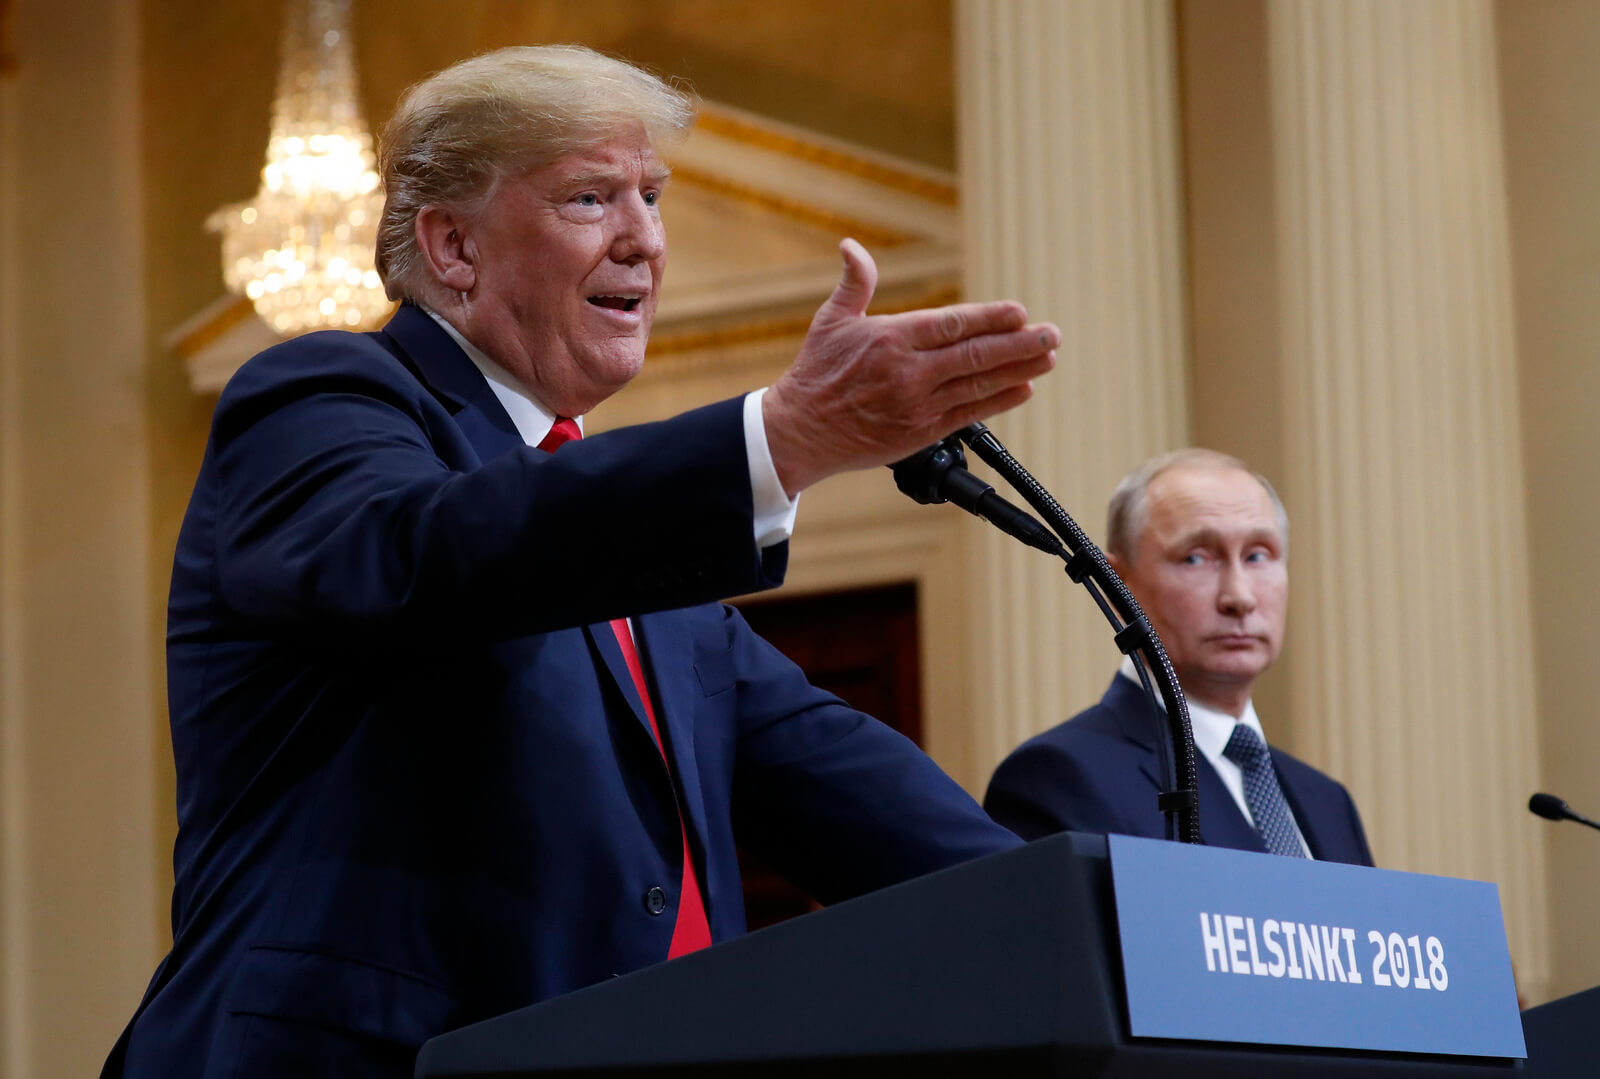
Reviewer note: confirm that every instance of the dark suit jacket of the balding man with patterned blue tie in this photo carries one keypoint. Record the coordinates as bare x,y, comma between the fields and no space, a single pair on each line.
1100,772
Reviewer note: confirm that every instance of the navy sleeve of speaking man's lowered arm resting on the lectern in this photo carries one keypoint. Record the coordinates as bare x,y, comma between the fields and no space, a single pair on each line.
834,800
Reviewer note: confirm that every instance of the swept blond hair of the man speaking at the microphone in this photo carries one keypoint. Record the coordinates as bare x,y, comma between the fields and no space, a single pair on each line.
460,132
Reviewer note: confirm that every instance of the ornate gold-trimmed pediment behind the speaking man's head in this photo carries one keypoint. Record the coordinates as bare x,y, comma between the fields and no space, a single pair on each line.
754,214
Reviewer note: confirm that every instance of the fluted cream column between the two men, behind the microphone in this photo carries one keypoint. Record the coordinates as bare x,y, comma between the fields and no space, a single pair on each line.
1071,196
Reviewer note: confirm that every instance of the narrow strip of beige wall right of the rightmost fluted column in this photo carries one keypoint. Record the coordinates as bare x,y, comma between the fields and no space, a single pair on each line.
1551,106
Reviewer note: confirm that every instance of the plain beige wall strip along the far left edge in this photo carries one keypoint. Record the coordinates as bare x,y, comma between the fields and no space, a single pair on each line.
79,878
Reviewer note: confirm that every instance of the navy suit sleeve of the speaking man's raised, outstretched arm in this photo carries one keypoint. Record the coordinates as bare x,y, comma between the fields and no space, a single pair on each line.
348,502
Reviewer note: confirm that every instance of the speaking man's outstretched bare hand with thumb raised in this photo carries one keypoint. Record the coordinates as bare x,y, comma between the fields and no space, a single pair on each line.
874,390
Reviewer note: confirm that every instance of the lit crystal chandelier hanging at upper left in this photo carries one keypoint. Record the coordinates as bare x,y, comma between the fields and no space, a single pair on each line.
302,251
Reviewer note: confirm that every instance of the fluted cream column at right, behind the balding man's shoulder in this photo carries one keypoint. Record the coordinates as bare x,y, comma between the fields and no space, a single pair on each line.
1410,627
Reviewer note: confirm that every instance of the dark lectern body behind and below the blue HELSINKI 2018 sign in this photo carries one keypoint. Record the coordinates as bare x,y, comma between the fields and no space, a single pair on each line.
1001,968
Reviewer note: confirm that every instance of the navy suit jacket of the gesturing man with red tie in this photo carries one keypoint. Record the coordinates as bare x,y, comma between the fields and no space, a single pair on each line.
415,782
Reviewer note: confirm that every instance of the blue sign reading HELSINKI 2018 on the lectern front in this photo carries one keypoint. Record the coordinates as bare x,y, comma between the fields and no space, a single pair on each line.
1238,947
